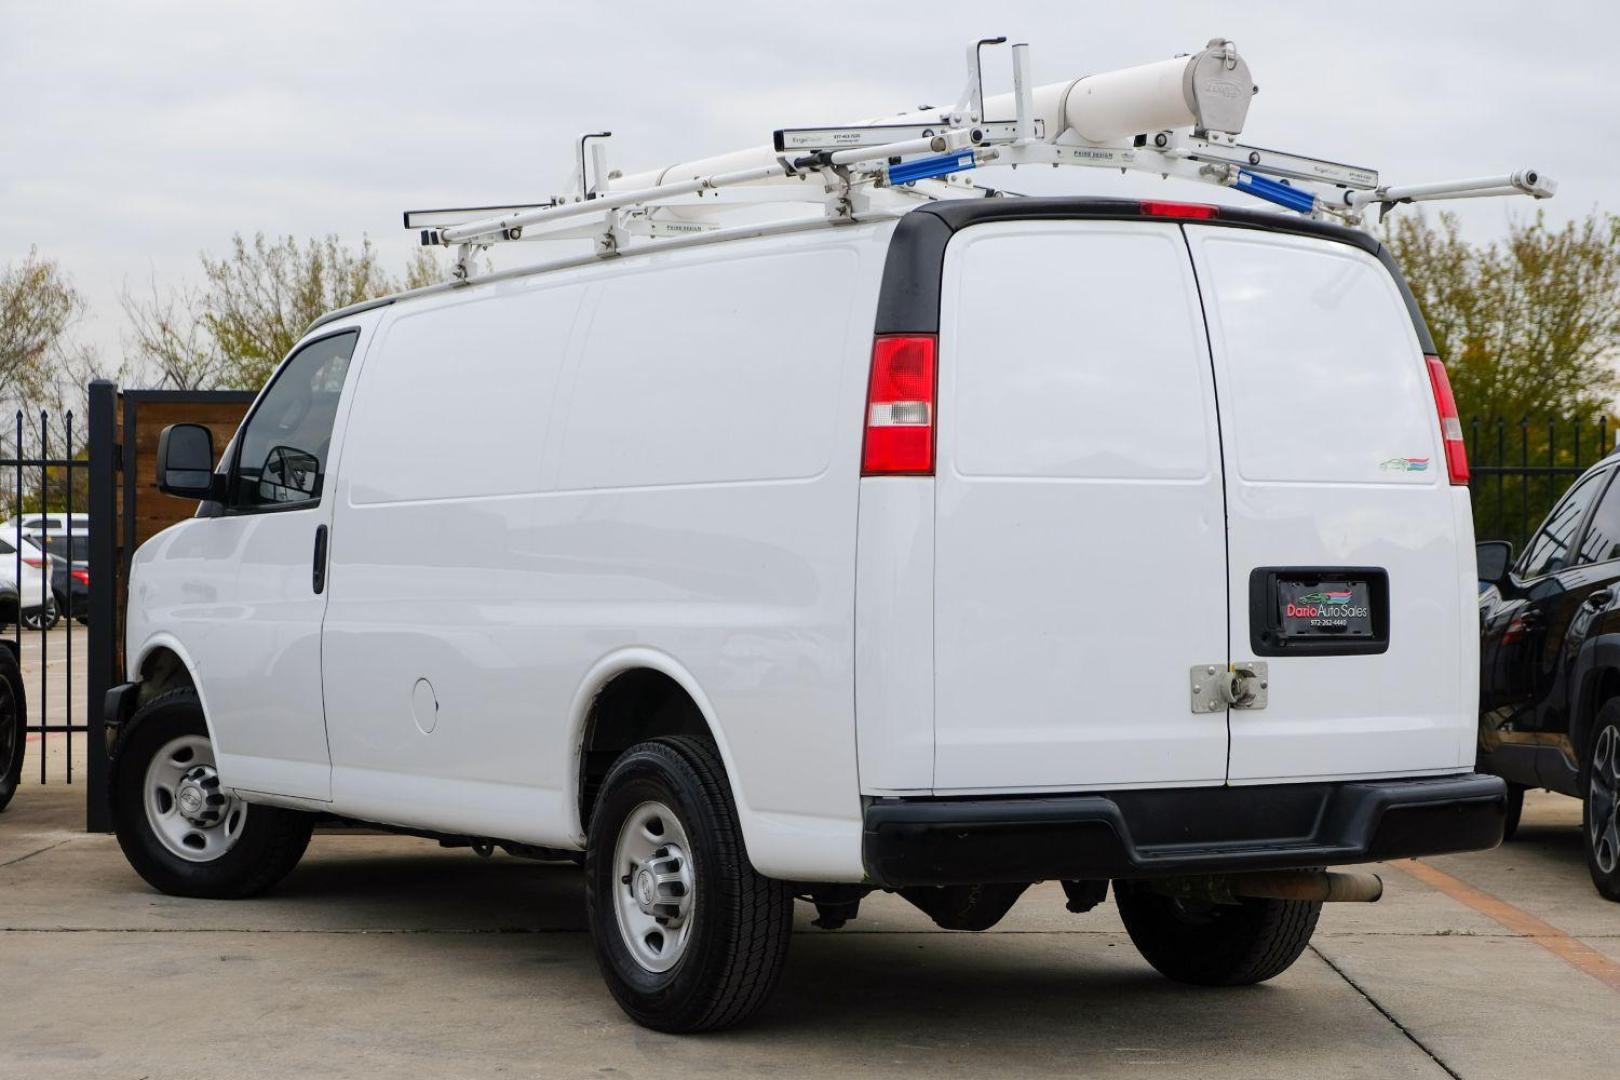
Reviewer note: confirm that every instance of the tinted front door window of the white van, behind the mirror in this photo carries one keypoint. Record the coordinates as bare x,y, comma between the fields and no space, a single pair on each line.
283,451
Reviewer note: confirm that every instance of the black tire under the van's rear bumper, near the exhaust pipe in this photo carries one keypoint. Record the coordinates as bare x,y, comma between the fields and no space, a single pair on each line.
1216,945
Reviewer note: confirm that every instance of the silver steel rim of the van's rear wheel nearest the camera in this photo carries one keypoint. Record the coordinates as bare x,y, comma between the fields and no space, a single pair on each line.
655,888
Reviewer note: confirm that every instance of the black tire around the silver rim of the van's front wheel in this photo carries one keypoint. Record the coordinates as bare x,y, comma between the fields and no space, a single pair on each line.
271,841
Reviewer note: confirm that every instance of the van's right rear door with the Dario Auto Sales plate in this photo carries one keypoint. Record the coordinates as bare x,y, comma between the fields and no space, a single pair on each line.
1347,540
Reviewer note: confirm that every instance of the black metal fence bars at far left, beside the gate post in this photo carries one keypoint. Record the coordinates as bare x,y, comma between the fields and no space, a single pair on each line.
45,577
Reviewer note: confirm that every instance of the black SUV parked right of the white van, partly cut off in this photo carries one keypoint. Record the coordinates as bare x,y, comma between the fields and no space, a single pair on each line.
1550,663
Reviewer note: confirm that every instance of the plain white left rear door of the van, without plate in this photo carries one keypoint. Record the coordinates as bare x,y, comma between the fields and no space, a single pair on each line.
1080,558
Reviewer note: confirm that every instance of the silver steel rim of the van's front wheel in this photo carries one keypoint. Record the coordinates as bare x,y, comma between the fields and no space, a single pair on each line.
189,812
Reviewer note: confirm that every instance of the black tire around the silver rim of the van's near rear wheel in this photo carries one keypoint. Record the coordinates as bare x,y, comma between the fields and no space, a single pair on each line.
740,921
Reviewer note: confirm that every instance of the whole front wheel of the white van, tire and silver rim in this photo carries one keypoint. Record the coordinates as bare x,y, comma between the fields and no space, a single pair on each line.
179,828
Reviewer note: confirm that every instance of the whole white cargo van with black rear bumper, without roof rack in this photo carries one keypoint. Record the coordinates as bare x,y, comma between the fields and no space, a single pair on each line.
992,543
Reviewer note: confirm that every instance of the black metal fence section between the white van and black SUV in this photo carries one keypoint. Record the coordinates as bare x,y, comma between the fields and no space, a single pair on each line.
1520,469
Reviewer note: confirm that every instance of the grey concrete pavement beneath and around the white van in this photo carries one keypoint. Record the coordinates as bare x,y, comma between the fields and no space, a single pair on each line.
391,958
